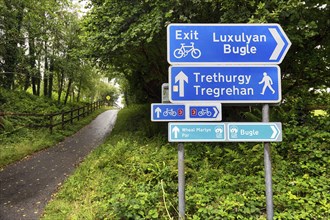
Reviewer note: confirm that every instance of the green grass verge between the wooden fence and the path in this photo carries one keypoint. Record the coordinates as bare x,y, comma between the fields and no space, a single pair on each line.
22,142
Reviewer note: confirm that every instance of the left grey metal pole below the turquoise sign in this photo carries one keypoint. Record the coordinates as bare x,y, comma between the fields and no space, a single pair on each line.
181,179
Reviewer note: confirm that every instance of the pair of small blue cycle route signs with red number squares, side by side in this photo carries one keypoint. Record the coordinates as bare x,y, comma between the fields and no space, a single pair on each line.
185,112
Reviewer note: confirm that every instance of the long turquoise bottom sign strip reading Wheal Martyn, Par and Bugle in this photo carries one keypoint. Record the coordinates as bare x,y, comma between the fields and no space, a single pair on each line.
225,132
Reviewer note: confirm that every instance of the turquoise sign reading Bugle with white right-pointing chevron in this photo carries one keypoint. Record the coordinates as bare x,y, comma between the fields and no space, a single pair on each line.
265,132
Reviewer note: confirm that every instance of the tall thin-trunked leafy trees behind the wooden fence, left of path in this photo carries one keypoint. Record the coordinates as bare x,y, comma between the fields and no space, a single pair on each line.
41,52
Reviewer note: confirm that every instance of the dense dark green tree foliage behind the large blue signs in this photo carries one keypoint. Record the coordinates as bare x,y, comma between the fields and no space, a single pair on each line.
129,37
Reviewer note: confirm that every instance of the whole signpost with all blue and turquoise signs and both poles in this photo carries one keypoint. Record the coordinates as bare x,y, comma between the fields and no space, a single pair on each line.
260,47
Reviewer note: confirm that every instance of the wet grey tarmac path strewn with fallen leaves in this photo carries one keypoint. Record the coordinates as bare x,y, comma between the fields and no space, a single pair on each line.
27,186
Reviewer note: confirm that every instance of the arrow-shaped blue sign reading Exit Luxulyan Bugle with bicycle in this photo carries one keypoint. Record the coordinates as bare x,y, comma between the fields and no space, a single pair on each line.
226,44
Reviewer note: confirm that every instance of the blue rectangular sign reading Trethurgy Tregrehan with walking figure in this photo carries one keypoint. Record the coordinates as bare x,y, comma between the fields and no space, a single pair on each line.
225,84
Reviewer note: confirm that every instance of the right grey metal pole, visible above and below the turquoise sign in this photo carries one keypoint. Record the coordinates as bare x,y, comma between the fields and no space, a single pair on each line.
268,168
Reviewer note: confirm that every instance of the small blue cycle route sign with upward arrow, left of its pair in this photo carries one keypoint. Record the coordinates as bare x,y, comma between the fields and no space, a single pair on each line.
168,112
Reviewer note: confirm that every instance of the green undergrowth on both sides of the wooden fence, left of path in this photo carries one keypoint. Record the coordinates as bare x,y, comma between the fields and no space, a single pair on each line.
17,138
